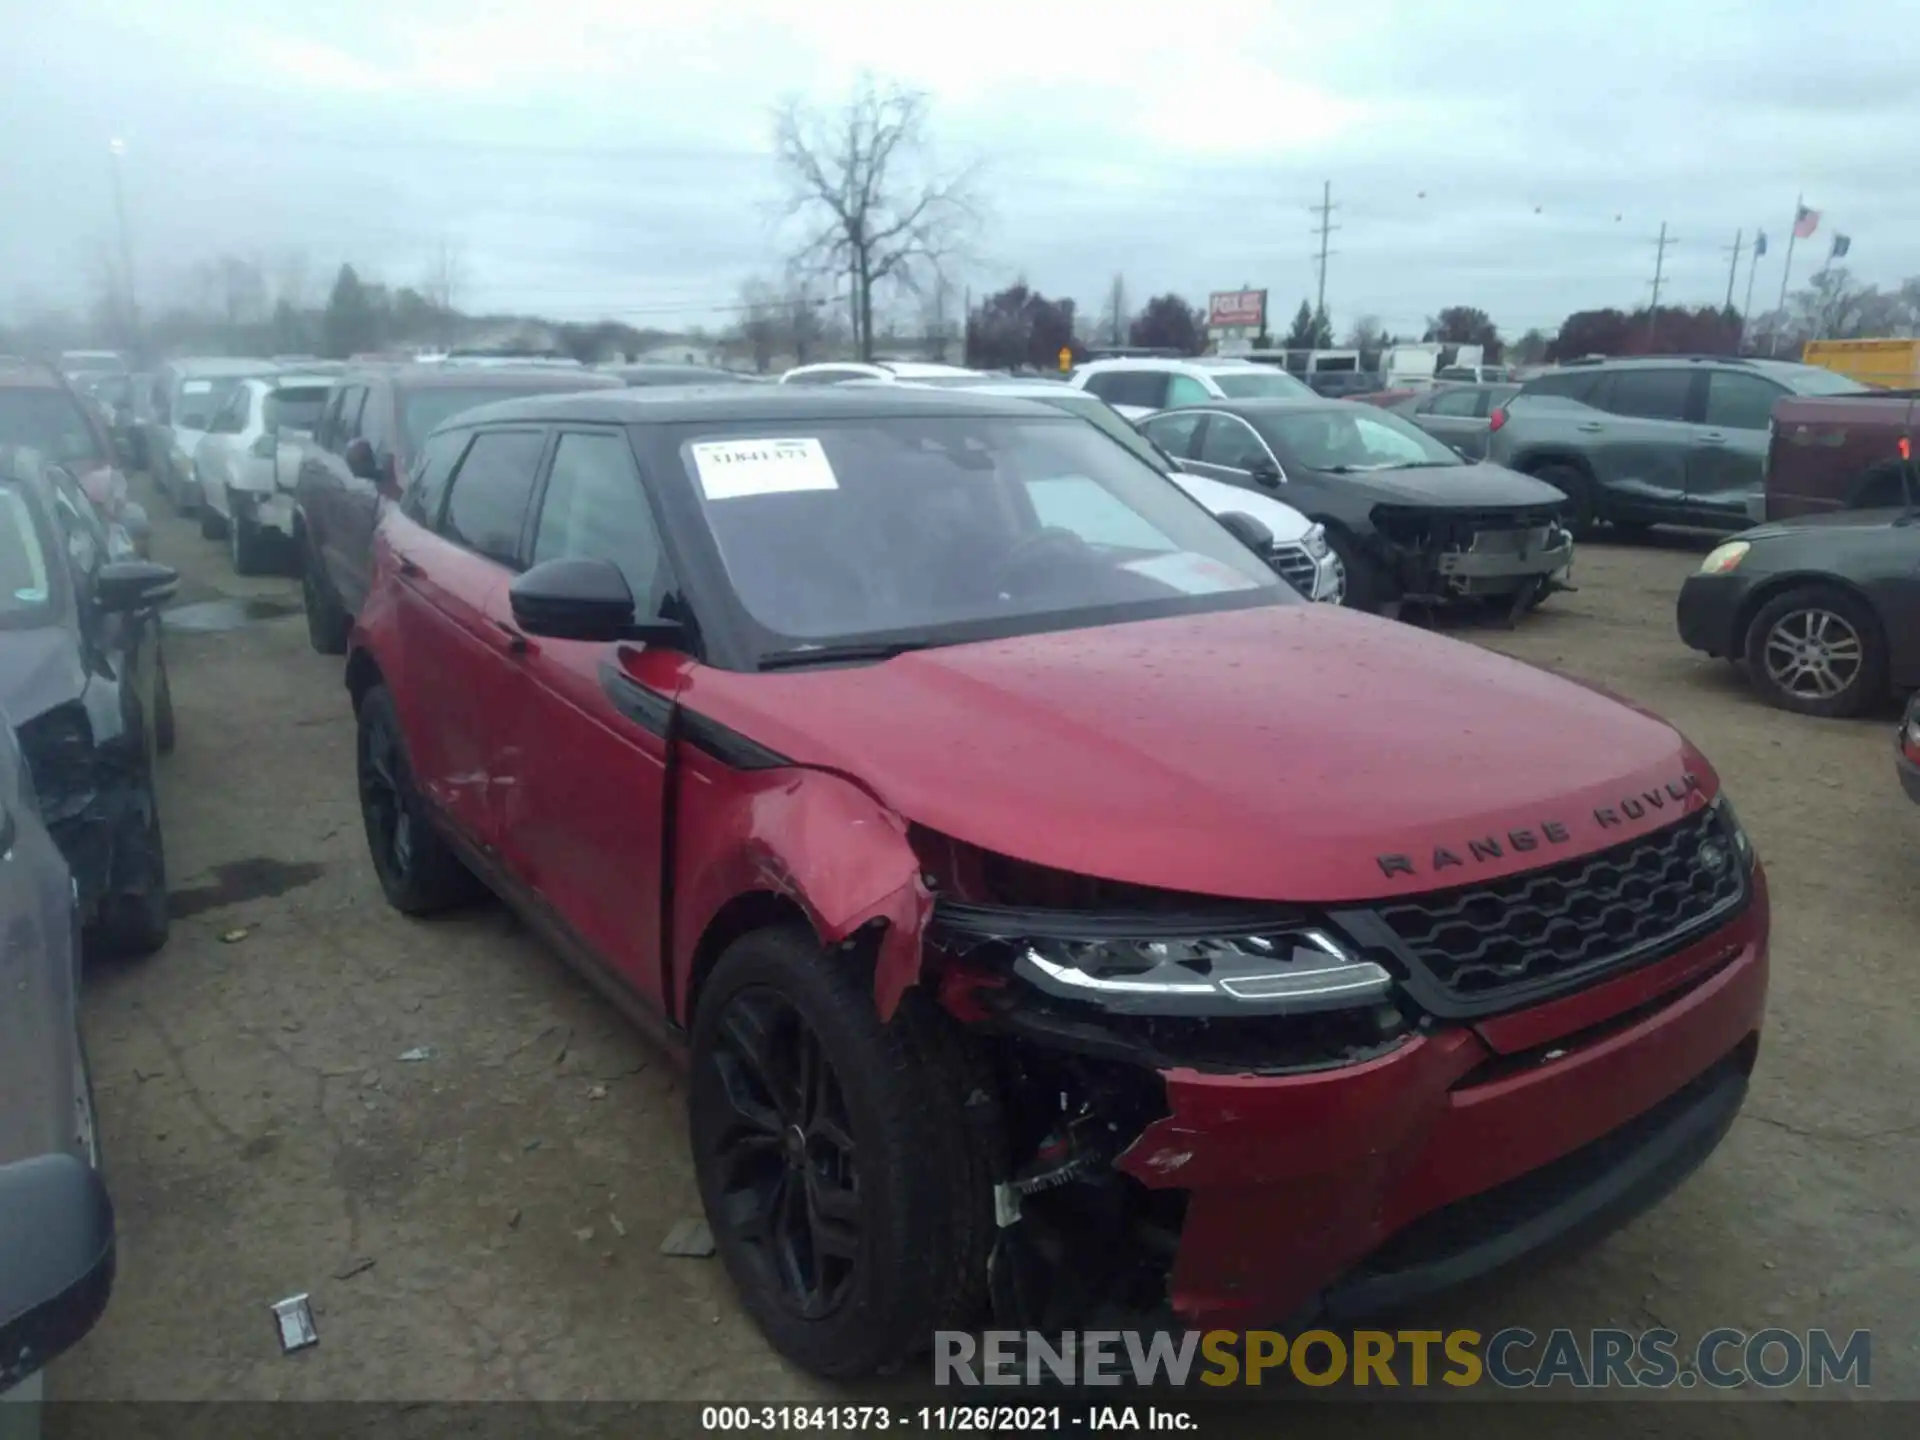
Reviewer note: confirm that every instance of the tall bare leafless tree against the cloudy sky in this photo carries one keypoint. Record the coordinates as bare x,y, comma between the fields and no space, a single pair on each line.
865,183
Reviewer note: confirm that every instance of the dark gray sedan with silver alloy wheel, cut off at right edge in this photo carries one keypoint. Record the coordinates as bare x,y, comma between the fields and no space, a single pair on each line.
1825,610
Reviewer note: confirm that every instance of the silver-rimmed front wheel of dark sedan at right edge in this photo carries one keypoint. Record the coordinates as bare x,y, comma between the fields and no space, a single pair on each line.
1817,650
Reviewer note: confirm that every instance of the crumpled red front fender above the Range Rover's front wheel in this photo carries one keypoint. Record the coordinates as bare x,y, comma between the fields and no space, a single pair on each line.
813,838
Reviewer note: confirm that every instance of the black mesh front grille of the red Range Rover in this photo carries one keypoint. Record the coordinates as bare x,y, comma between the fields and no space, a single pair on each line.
1633,903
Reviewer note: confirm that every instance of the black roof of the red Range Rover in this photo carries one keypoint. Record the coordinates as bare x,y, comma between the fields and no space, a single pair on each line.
750,404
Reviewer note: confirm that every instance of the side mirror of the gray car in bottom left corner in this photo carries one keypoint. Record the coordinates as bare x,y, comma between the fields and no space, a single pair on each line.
55,1284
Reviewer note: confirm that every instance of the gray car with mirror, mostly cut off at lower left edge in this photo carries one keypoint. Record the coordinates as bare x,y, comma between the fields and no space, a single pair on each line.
57,1226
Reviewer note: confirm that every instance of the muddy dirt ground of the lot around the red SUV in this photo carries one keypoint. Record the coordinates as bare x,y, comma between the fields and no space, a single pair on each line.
485,1222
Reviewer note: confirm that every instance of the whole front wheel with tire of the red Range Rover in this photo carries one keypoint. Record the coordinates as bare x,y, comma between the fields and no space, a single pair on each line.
848,1186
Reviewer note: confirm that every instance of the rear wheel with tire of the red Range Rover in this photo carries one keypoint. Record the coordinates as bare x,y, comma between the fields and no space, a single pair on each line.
418,869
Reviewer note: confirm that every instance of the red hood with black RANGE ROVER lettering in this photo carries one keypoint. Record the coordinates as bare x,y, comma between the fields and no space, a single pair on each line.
1274,754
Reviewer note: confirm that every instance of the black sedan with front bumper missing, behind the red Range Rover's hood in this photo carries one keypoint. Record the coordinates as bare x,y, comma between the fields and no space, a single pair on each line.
1410,517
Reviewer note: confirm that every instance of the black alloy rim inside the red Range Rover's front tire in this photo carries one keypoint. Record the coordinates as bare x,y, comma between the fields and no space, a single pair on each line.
786,1164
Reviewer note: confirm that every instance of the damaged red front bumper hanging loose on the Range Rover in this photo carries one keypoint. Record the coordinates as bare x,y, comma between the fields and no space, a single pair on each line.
1339,1163
